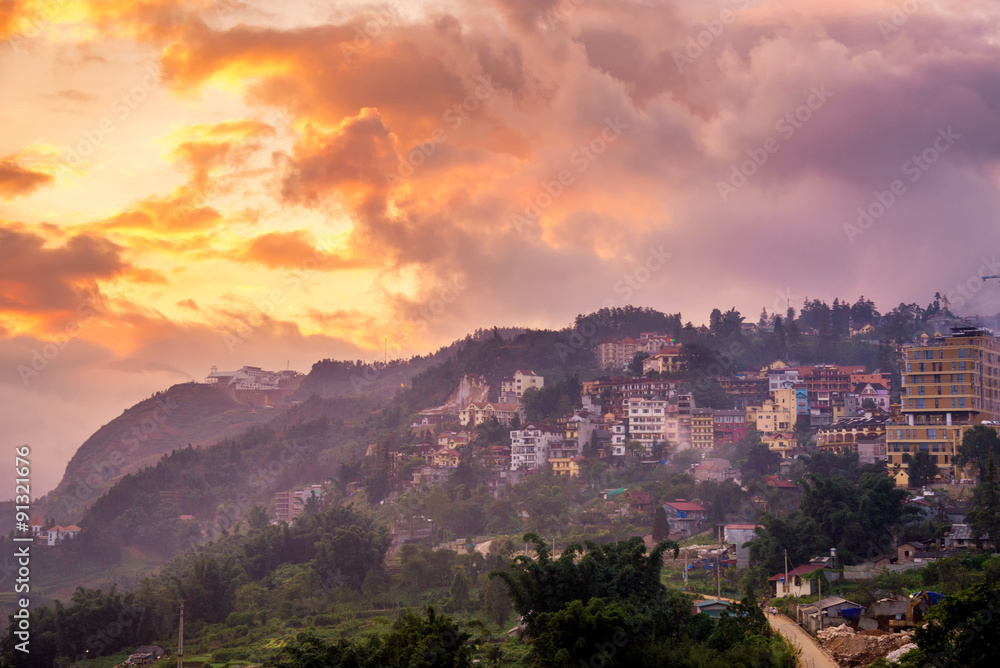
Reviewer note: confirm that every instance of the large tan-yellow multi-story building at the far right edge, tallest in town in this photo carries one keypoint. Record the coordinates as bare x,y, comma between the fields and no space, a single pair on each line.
950,384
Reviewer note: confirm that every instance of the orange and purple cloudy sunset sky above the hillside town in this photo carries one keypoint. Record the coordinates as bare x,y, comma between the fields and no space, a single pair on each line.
188,184
